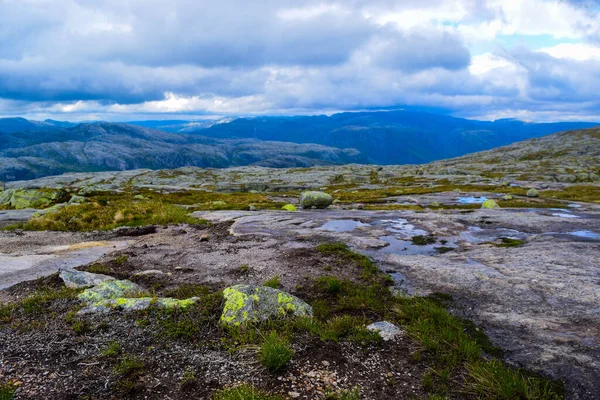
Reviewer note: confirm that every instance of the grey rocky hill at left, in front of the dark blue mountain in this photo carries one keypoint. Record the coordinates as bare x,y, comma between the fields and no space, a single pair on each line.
47,149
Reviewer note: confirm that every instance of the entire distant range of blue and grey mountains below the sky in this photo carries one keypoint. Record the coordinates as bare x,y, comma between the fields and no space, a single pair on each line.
31,149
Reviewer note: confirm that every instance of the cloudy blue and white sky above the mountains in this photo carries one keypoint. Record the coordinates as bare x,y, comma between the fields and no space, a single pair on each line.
120,60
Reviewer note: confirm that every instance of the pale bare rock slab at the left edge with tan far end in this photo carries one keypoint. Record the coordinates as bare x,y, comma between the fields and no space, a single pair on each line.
20,266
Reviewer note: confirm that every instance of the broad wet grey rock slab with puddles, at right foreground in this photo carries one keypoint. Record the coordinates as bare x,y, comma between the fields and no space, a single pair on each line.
540,301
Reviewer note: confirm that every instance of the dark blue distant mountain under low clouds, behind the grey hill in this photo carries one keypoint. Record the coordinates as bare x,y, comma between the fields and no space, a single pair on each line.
394,137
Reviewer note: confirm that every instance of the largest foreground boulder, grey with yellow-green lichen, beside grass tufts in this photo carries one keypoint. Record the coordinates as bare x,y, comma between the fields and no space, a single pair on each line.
251,303
